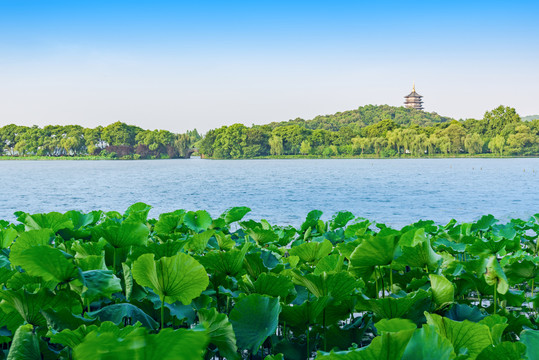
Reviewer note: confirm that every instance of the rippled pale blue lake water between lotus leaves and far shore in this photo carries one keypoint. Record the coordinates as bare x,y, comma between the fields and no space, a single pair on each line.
392,191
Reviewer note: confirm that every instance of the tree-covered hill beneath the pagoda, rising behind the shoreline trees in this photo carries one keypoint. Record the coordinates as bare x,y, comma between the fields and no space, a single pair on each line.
367,115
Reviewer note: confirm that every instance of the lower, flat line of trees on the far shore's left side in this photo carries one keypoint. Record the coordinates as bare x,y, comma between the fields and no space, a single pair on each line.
117,140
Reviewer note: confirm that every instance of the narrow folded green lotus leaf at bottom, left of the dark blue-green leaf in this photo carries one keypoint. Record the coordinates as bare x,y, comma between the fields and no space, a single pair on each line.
220,332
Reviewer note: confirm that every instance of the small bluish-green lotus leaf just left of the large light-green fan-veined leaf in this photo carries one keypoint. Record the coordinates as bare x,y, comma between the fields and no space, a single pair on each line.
99,284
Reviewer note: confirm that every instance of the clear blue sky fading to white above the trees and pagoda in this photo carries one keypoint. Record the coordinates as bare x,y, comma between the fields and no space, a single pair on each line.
203,64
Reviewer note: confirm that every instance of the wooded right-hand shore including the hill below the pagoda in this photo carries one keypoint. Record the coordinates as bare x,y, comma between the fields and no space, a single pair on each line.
380,131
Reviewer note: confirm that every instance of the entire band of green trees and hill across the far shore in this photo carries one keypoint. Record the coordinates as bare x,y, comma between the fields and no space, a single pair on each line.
370,131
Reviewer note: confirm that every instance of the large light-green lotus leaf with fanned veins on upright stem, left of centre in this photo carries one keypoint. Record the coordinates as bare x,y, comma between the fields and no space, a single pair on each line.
176,278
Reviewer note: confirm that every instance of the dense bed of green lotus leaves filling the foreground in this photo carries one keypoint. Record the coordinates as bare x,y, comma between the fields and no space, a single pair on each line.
189,286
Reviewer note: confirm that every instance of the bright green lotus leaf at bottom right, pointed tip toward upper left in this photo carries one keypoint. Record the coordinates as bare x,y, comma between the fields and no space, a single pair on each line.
463,335
